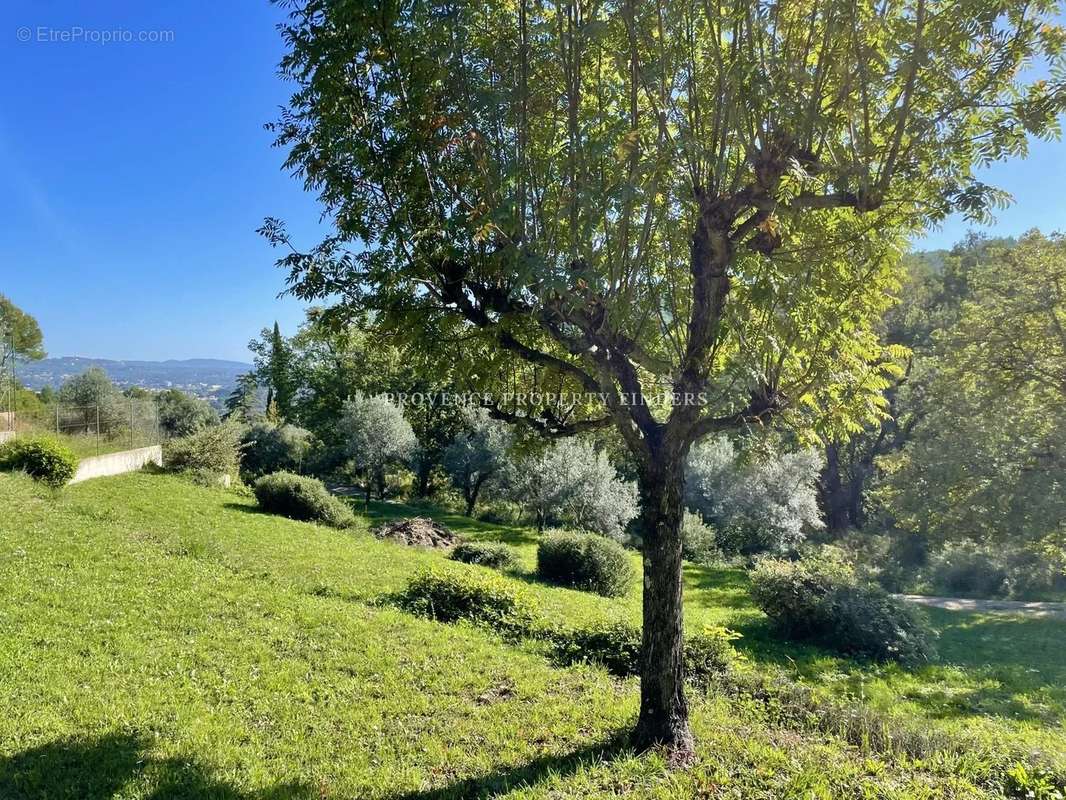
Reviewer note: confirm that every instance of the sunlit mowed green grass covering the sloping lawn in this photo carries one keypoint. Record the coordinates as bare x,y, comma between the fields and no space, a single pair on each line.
163,641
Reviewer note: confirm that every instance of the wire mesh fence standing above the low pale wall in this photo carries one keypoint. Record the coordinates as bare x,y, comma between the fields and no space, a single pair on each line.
114,425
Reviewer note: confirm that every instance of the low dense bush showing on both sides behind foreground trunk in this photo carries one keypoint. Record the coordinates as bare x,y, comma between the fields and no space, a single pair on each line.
617,647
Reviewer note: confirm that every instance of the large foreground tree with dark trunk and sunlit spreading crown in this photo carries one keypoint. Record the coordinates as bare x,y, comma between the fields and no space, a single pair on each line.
688,212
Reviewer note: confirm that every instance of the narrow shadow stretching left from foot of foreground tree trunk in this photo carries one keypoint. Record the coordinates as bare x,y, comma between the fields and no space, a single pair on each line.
528,775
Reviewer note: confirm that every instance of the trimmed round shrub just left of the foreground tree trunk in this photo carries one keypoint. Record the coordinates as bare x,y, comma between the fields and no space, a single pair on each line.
585,562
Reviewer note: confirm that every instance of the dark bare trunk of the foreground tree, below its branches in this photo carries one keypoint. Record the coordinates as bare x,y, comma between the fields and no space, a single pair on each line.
665,712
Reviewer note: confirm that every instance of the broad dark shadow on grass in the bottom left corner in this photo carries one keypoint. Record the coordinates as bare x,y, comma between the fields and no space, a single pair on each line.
99,769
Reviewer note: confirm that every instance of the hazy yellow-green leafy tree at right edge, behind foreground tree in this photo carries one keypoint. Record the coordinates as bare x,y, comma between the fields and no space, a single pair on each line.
984,408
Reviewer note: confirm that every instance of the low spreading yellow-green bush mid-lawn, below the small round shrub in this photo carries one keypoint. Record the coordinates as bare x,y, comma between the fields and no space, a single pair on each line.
479,598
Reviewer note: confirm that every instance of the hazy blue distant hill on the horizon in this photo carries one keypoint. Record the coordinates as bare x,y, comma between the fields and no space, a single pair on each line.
202,377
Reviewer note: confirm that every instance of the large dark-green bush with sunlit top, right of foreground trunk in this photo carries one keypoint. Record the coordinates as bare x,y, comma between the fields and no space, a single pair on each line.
822,601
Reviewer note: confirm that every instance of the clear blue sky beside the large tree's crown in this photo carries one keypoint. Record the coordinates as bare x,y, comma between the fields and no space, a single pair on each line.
136,173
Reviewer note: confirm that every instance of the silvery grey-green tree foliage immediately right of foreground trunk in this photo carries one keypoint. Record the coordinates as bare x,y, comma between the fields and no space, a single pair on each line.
757,502
